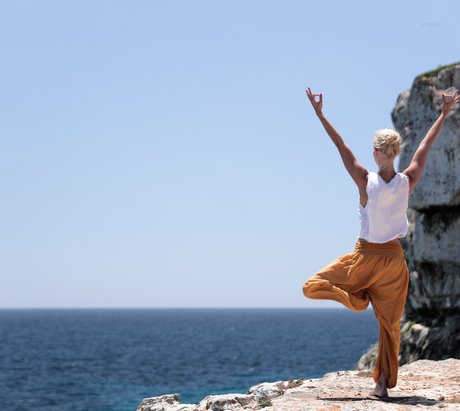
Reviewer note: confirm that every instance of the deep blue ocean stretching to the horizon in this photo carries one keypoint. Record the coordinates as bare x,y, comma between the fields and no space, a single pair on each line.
110,359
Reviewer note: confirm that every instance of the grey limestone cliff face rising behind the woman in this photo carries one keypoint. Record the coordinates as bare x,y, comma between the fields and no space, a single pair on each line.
431,322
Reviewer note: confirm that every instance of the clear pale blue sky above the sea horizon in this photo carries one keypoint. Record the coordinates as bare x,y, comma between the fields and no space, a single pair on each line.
164,153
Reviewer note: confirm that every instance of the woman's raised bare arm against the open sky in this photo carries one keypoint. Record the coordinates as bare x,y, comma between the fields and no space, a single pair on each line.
357,172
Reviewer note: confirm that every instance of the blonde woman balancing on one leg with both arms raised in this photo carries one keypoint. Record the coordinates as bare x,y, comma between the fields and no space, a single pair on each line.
376,271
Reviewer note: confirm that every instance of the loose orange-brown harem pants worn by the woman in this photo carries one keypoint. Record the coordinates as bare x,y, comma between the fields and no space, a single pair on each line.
375,273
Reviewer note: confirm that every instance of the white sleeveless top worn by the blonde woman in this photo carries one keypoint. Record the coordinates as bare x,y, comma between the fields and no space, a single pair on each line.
384,217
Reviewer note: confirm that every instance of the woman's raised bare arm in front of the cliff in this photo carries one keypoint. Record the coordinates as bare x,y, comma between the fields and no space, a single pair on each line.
415,169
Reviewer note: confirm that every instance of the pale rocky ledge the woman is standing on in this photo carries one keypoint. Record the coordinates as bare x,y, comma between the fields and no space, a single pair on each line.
423,384
